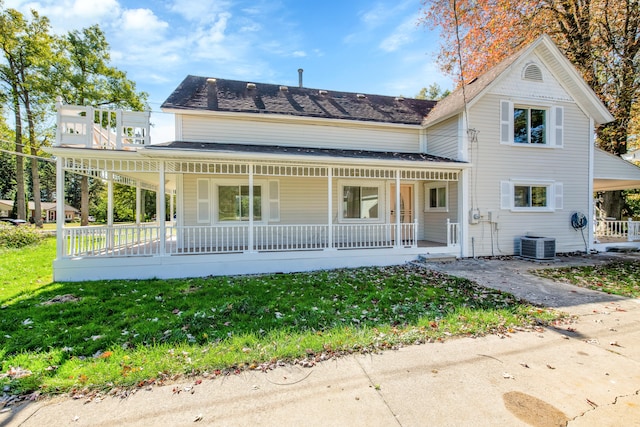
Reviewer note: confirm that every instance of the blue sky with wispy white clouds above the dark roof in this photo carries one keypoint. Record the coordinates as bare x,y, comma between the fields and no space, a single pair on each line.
366,46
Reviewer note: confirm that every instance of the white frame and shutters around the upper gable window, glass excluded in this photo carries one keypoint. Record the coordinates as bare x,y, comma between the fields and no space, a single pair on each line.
554,124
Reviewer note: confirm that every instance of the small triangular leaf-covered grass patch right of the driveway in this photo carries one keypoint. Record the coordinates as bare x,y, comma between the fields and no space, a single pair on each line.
617,278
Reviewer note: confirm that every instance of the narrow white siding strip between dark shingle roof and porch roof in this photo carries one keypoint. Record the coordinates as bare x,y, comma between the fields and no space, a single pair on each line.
200,128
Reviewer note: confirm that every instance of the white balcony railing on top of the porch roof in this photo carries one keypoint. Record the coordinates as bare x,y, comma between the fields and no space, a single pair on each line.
102,128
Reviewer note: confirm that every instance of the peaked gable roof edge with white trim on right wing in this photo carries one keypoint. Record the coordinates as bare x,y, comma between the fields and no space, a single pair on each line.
555,62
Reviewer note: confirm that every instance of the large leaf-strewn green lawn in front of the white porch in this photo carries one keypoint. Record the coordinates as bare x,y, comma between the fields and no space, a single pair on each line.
59,337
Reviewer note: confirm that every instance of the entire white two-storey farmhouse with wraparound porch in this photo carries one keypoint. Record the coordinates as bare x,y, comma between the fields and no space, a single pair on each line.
270,178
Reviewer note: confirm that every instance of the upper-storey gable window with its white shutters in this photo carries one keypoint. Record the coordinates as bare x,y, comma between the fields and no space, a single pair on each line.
531,125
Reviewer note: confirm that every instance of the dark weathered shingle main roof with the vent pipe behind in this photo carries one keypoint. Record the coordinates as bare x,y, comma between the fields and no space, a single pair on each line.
202,93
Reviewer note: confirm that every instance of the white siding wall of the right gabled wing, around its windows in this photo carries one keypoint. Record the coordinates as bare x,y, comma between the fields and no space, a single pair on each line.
495,162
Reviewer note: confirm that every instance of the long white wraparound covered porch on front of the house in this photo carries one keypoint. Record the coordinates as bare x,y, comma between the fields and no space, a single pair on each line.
273,227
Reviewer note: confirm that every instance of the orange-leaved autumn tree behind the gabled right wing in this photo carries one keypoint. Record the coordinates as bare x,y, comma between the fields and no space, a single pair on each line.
600,37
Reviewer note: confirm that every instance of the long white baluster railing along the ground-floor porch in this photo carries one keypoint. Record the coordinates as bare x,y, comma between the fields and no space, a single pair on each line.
144,239
